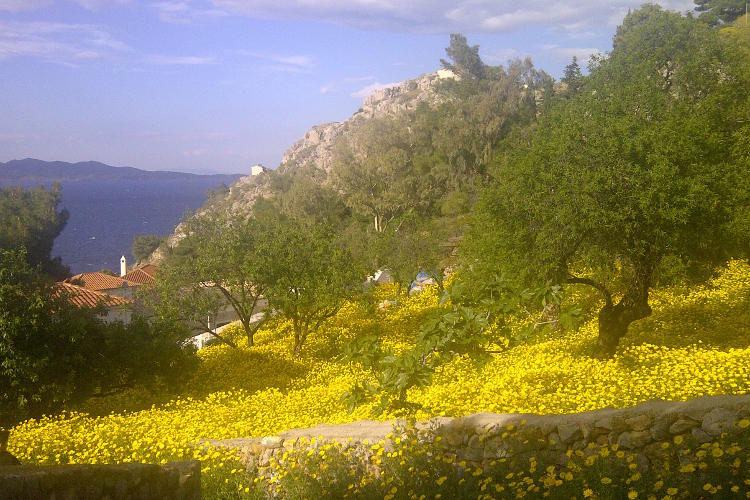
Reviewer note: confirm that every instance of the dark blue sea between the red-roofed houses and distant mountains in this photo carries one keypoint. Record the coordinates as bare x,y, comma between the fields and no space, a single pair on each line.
106,215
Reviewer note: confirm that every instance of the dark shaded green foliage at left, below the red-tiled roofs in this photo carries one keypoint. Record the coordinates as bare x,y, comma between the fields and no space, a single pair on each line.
53,353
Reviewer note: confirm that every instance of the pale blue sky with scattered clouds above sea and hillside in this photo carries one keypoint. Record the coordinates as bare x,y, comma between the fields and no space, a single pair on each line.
210,86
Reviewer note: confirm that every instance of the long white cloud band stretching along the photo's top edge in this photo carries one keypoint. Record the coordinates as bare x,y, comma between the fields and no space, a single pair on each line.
447,15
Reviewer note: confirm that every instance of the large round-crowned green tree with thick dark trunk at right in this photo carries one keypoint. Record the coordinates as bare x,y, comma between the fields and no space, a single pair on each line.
631,170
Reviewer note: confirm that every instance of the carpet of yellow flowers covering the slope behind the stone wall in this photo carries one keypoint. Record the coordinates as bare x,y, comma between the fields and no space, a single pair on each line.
697,342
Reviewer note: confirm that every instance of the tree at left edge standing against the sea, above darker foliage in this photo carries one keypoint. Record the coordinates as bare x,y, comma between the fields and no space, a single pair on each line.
29,219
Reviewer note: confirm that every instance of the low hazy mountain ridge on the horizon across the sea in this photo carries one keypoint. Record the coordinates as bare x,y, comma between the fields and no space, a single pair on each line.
31,171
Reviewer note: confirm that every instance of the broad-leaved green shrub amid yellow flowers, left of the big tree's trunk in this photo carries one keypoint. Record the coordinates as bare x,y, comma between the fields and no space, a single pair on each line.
472,322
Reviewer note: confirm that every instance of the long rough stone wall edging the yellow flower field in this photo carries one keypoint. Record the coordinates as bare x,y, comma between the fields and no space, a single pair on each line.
483,437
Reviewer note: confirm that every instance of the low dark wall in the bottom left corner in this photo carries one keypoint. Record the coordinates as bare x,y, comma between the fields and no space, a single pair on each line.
180,480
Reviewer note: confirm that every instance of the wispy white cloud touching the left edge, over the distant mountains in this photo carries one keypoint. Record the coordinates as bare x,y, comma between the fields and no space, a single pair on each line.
57,42
